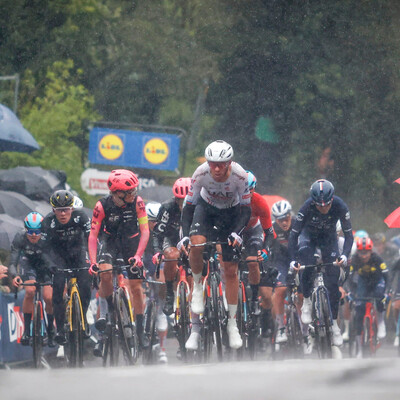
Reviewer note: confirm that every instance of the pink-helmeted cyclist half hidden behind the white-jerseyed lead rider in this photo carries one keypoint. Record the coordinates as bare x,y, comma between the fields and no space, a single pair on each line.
166,236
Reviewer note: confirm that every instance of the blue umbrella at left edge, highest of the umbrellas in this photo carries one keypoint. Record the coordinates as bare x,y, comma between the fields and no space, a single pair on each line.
13,136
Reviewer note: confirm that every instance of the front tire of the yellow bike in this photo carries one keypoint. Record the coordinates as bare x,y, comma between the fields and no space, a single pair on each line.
76,334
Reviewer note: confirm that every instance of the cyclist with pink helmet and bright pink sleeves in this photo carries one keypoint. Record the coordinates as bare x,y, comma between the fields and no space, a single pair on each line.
121,218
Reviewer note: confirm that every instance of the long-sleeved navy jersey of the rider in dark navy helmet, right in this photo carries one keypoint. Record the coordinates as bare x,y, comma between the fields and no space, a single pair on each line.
319,225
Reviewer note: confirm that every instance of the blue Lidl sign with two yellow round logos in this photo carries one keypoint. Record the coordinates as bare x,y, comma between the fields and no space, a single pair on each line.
134,148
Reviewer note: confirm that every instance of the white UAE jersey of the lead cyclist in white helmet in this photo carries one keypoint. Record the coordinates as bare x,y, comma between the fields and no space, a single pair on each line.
233,191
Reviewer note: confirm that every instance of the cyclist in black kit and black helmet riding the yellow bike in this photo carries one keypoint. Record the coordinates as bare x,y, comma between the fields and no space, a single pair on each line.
65,232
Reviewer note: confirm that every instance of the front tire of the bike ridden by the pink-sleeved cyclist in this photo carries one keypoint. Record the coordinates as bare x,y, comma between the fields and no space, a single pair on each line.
126,328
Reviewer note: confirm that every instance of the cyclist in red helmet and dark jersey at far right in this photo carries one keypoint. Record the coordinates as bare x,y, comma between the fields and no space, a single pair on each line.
369,278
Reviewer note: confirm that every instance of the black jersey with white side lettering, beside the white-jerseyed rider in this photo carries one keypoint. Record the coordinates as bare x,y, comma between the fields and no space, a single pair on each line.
167,226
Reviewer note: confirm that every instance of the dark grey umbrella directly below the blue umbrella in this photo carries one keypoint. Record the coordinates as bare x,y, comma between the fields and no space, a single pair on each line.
34,182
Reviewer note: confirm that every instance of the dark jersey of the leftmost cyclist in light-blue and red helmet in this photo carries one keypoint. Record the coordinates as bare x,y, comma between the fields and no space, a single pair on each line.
22,247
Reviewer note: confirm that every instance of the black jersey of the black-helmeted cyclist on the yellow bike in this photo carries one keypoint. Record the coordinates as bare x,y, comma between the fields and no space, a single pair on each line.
68,239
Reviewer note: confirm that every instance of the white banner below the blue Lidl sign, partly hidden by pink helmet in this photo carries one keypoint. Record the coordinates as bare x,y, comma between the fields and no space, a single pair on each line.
94,182
